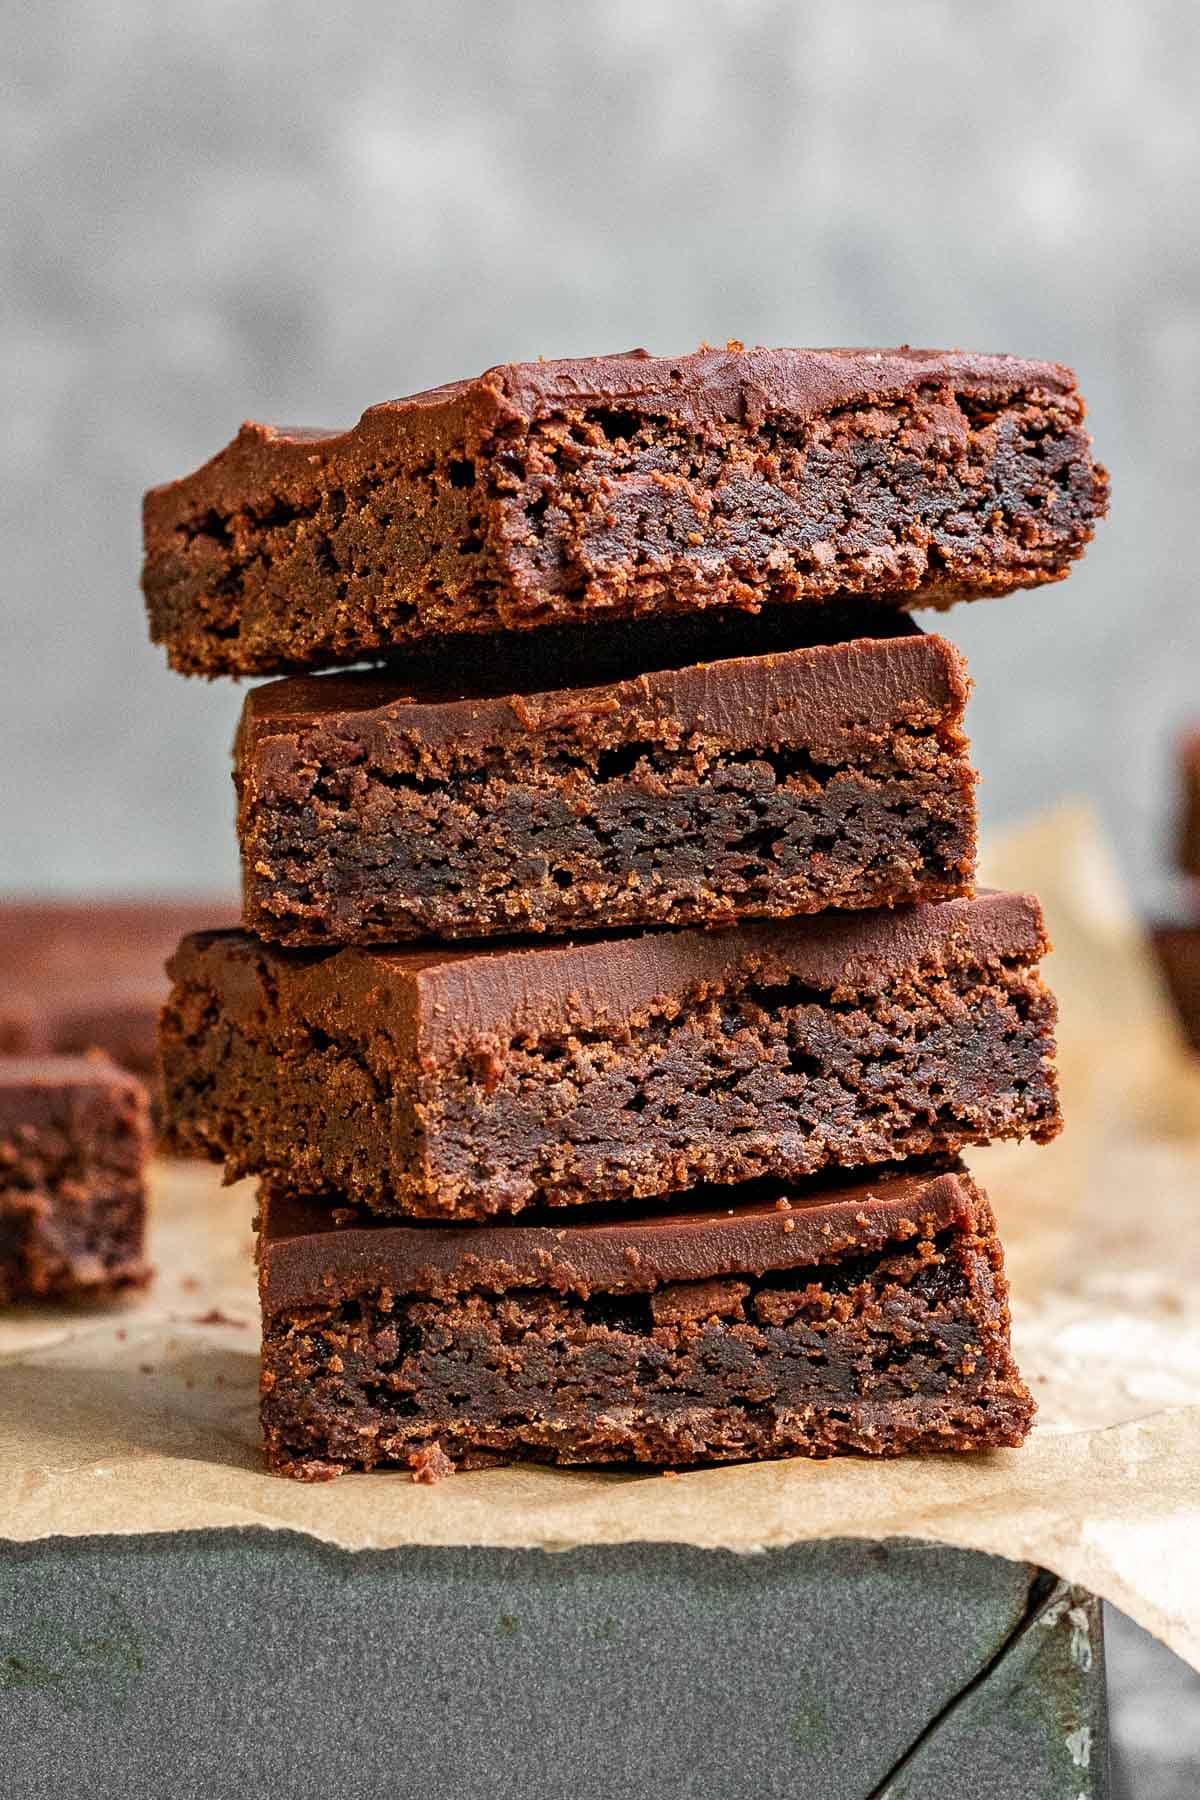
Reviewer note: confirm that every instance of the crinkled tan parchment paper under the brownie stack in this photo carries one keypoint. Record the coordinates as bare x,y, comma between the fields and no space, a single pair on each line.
143,1419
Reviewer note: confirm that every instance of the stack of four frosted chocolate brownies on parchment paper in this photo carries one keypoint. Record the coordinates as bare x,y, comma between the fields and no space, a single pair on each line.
614,998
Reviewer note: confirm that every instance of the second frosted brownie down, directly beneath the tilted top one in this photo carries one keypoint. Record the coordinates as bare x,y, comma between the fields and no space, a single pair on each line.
665,787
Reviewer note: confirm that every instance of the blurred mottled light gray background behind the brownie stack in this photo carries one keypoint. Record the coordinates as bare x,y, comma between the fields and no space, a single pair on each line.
291,211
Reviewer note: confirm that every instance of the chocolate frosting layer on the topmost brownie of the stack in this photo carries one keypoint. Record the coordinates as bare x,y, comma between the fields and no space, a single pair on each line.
751,386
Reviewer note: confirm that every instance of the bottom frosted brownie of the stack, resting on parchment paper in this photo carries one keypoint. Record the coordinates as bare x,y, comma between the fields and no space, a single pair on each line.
868,1318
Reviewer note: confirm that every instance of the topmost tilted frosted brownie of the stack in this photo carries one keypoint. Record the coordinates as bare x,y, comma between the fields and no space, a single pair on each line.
623,485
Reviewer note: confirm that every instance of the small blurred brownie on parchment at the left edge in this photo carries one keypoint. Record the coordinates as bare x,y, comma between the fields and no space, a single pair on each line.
75,1138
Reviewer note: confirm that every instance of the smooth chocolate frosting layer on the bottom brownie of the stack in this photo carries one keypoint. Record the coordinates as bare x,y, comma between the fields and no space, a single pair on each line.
305,1261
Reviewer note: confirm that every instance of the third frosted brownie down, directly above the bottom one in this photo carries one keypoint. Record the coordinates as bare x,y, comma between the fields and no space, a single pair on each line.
469,1083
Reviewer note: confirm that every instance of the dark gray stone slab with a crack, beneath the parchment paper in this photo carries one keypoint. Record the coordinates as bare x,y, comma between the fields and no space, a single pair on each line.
262,1664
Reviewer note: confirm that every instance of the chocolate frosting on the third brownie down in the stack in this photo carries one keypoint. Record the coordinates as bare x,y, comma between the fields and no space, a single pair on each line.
442,1003
